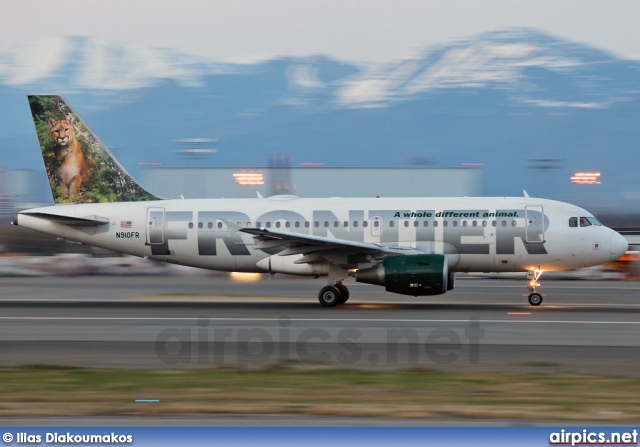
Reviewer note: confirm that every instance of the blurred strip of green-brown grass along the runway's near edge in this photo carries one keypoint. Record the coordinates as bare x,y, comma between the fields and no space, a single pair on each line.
51,391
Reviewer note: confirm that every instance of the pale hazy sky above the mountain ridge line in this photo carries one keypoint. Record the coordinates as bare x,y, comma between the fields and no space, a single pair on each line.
357,30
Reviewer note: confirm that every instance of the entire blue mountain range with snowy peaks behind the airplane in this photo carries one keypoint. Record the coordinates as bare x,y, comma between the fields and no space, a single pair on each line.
503,98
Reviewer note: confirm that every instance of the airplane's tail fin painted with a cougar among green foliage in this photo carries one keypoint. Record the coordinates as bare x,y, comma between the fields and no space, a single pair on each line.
80,168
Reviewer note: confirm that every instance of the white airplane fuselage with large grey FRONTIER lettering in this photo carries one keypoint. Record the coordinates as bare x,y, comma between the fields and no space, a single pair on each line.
478,234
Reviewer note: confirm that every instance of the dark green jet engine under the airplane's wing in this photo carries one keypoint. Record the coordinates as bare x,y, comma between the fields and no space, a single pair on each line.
417,275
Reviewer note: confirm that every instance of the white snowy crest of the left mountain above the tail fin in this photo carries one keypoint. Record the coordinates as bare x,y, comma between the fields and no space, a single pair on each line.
87,63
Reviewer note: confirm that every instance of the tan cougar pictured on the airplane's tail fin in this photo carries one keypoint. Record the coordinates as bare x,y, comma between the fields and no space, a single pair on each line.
74,166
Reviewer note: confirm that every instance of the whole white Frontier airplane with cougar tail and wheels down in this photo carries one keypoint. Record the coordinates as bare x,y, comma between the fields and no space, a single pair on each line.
412,246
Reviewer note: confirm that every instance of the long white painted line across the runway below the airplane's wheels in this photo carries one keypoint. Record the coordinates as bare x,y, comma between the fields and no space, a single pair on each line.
312,320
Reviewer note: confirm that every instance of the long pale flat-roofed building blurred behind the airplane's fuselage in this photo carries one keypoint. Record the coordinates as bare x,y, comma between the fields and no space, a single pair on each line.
230,182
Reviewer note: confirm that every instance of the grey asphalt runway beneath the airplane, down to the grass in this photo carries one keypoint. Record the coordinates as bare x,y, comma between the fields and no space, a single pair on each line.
214,321
